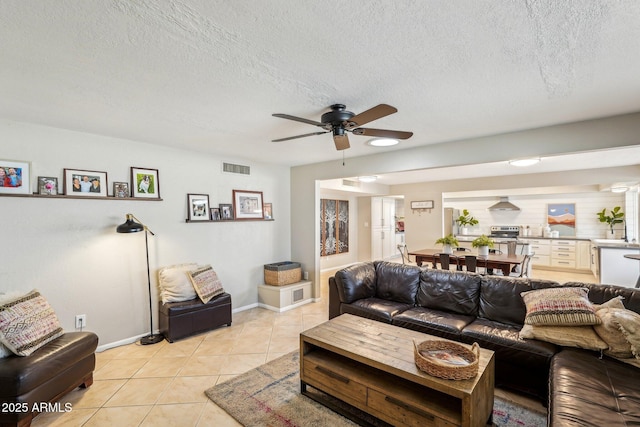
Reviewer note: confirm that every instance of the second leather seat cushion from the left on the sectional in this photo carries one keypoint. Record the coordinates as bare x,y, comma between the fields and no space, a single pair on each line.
435,322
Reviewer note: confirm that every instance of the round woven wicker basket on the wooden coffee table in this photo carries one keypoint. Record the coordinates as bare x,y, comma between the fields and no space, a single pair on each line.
442,369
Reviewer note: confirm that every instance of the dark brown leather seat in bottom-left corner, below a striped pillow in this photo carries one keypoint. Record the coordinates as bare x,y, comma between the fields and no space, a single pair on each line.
42,378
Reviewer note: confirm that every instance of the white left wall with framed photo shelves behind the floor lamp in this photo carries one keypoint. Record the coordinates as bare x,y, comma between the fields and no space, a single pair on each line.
69,250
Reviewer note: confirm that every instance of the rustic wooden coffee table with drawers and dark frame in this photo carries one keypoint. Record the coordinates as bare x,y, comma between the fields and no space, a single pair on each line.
370,365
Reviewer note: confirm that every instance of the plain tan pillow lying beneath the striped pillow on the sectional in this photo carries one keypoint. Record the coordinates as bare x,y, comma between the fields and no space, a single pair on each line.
566,336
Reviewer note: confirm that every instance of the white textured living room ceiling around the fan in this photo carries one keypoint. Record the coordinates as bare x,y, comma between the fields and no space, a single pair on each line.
207,75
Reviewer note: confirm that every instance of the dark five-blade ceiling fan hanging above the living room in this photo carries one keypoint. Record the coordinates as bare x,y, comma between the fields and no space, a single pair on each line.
339,121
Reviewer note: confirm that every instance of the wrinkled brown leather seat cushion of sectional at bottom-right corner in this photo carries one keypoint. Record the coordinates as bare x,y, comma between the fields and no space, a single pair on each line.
586,389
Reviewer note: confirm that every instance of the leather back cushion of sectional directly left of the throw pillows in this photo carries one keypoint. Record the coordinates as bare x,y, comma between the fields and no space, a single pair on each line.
500,299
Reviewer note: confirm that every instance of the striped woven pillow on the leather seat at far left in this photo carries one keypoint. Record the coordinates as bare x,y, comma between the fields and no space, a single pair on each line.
27,323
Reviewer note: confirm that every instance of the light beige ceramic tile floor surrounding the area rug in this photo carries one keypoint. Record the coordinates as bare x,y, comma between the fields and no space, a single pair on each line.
163,384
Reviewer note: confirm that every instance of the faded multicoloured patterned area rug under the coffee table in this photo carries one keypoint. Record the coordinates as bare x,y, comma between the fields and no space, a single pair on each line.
270,396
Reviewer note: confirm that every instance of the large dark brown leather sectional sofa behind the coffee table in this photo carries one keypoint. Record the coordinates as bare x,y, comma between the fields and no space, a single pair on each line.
489,310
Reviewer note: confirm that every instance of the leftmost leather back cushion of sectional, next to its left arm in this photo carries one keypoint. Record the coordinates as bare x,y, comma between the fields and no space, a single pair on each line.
397,282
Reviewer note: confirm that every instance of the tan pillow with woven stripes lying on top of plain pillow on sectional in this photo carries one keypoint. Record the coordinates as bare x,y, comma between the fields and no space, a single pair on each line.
559,307
